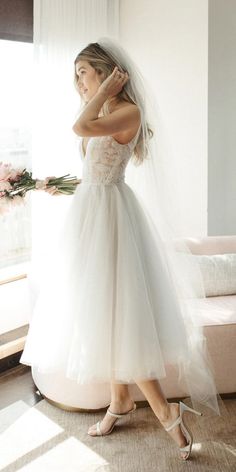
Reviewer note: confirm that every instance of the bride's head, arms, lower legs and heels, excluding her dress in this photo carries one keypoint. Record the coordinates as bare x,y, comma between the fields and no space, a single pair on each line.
122,124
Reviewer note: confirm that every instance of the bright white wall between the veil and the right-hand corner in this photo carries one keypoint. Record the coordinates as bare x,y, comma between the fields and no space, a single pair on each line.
169,39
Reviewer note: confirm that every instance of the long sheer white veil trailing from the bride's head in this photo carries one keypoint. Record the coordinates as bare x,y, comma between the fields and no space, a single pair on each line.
157,194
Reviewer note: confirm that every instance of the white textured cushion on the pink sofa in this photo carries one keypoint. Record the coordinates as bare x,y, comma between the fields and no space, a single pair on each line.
219,273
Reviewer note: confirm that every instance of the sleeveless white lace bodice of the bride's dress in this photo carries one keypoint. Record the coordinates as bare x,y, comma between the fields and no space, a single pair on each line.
105,160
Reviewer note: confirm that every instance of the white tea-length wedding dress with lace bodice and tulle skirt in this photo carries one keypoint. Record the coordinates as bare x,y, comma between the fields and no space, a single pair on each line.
107,308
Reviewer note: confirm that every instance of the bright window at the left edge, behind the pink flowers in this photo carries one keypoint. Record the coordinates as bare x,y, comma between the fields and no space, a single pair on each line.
16,98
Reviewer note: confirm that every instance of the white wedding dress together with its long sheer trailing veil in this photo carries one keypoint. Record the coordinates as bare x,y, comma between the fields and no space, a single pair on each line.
119,290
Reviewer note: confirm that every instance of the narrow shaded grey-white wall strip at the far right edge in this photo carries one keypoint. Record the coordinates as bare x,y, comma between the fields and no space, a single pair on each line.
222,117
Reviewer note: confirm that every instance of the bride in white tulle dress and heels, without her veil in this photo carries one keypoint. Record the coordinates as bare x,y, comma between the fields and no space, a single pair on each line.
123,320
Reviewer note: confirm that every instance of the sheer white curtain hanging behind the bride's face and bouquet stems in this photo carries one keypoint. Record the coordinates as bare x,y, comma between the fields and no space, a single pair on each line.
61,29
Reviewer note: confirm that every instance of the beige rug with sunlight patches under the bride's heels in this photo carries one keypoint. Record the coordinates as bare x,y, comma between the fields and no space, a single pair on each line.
45,438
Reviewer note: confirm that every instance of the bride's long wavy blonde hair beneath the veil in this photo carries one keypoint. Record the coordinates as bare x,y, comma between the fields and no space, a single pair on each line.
104,64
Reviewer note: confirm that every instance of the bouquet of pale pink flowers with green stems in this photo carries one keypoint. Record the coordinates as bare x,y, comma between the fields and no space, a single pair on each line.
14,183
